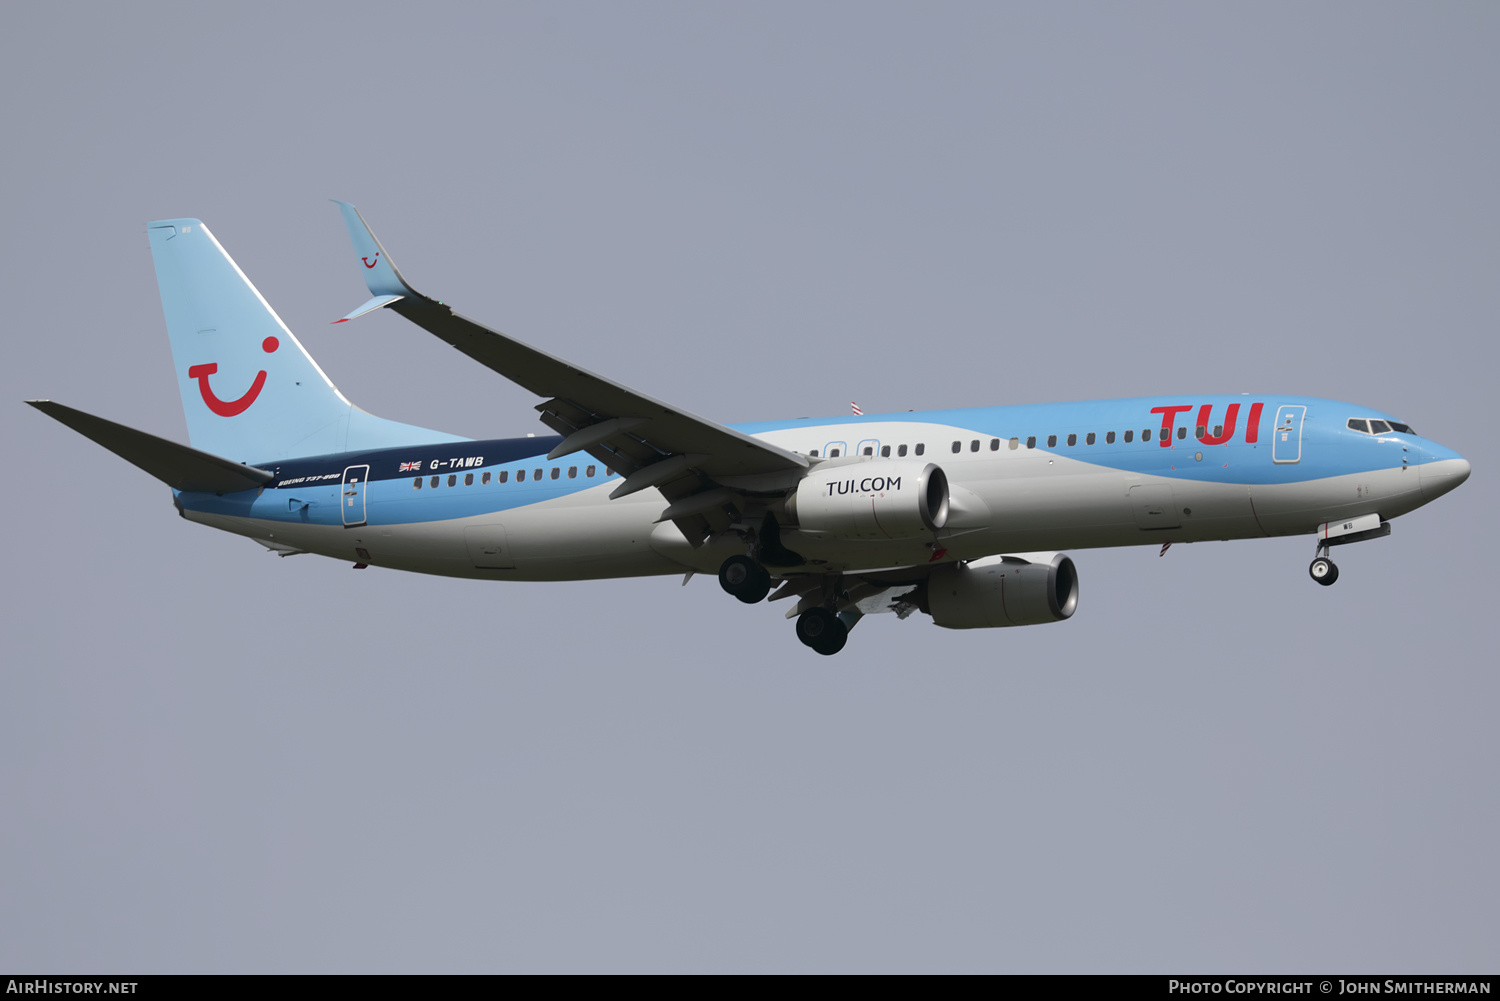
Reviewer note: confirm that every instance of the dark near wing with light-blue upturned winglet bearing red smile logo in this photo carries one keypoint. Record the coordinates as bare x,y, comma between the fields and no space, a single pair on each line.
653,443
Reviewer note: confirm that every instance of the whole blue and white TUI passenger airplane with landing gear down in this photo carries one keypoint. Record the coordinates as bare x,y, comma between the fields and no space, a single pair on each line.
962,516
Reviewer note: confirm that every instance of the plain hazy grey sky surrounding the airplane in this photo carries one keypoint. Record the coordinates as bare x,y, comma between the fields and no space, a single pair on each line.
215,760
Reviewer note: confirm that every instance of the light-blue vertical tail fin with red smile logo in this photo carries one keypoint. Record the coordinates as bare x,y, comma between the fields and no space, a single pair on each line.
251,392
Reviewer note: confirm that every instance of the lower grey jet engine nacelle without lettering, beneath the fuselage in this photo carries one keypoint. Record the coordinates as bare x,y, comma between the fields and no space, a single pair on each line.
1024,591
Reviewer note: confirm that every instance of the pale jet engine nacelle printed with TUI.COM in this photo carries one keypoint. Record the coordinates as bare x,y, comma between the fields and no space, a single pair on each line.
872,500
